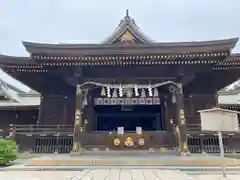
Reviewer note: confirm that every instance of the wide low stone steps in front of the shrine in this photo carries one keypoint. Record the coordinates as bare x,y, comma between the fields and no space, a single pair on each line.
144,159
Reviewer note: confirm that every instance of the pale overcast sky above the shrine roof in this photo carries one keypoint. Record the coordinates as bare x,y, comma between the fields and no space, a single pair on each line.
90,21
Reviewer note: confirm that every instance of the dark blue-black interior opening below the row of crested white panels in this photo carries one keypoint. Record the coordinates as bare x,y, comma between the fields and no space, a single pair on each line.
109,118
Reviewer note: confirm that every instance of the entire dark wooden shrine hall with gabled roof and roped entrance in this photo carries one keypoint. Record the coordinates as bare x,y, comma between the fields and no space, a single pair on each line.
127,91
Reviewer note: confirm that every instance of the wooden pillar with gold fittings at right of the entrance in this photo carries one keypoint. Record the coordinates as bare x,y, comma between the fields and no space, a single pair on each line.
181,119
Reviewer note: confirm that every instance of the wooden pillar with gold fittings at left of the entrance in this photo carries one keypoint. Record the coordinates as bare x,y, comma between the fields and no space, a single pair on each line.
78,129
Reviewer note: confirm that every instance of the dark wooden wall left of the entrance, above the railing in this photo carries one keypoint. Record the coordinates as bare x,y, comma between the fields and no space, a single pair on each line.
57,102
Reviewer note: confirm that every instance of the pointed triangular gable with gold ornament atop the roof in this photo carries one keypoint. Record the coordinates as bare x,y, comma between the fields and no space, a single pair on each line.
127,31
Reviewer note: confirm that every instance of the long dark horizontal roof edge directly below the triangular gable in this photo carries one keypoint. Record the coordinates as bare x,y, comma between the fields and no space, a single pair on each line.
224,45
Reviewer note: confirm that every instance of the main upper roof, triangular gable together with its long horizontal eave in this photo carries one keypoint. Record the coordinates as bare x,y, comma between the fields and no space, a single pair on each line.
128,39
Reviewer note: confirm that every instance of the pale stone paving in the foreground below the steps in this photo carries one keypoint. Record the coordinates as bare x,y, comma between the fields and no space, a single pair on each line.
109,174
